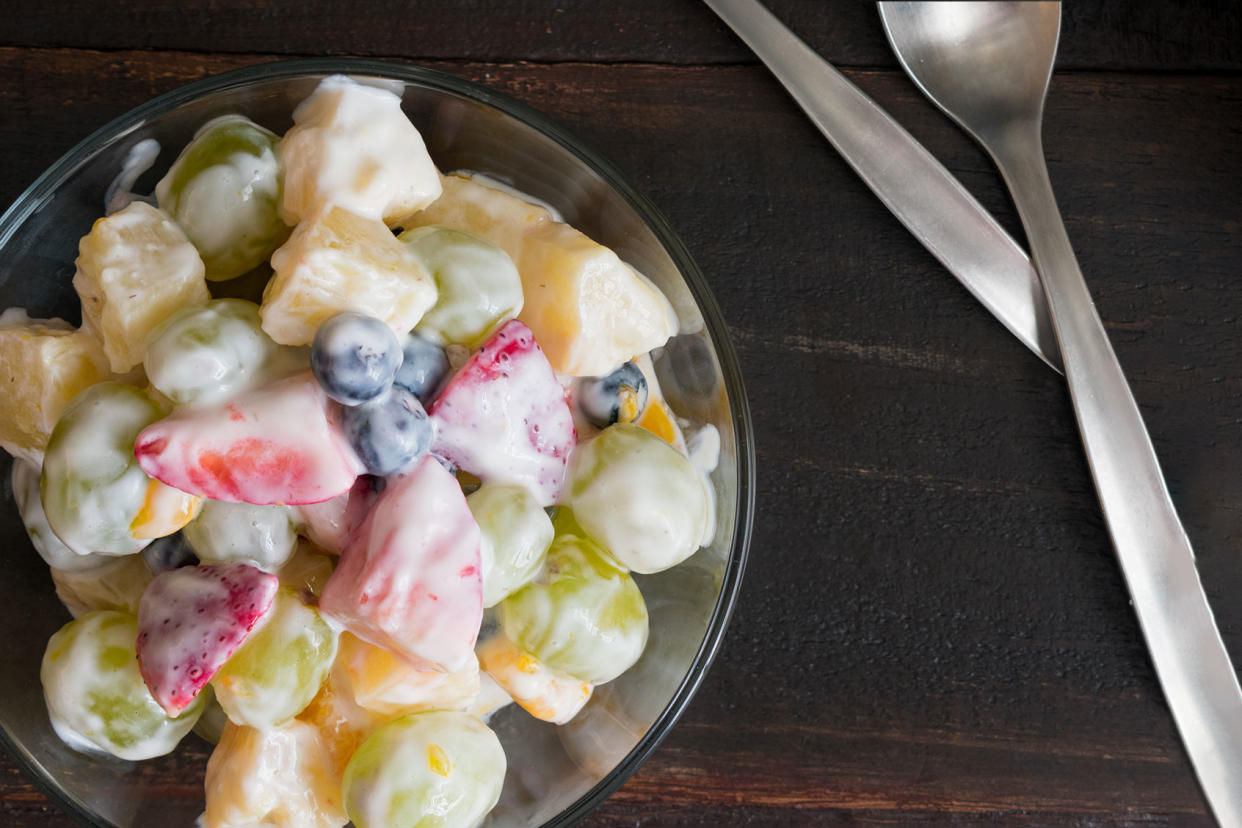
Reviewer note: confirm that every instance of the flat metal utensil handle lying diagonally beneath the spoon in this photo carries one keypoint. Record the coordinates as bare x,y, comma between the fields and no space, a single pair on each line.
911,183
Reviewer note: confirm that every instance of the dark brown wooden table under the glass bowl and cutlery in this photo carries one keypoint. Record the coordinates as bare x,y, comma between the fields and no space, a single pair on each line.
933,628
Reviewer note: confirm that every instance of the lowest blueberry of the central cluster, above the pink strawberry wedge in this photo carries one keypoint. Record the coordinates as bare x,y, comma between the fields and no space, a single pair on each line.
389,434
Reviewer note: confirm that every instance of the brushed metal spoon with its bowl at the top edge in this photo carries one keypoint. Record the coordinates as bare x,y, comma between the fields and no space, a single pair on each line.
988,66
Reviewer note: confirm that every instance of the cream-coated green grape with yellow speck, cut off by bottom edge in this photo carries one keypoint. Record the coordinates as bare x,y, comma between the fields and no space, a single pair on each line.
427,770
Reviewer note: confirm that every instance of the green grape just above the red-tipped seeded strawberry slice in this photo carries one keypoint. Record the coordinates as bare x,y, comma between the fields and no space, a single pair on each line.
478,281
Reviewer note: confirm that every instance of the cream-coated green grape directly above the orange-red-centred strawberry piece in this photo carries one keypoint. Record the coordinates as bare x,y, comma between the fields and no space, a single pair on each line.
211,353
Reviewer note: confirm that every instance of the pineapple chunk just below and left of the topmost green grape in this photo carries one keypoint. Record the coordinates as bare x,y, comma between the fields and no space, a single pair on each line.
135,269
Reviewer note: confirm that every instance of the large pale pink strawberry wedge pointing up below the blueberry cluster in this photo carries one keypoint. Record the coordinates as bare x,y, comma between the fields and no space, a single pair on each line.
409,582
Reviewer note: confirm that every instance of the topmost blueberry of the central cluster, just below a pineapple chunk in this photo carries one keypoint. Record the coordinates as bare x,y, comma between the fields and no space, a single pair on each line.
355,357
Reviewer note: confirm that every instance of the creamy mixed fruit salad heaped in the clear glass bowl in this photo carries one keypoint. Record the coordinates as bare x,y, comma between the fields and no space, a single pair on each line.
336,527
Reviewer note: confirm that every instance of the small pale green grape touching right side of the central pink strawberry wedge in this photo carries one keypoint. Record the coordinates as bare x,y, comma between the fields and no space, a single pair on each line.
516,533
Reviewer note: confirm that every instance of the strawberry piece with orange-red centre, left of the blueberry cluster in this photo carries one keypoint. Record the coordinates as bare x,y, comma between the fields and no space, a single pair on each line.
274,445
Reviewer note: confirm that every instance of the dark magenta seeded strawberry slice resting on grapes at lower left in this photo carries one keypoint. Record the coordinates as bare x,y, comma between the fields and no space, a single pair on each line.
192,620
